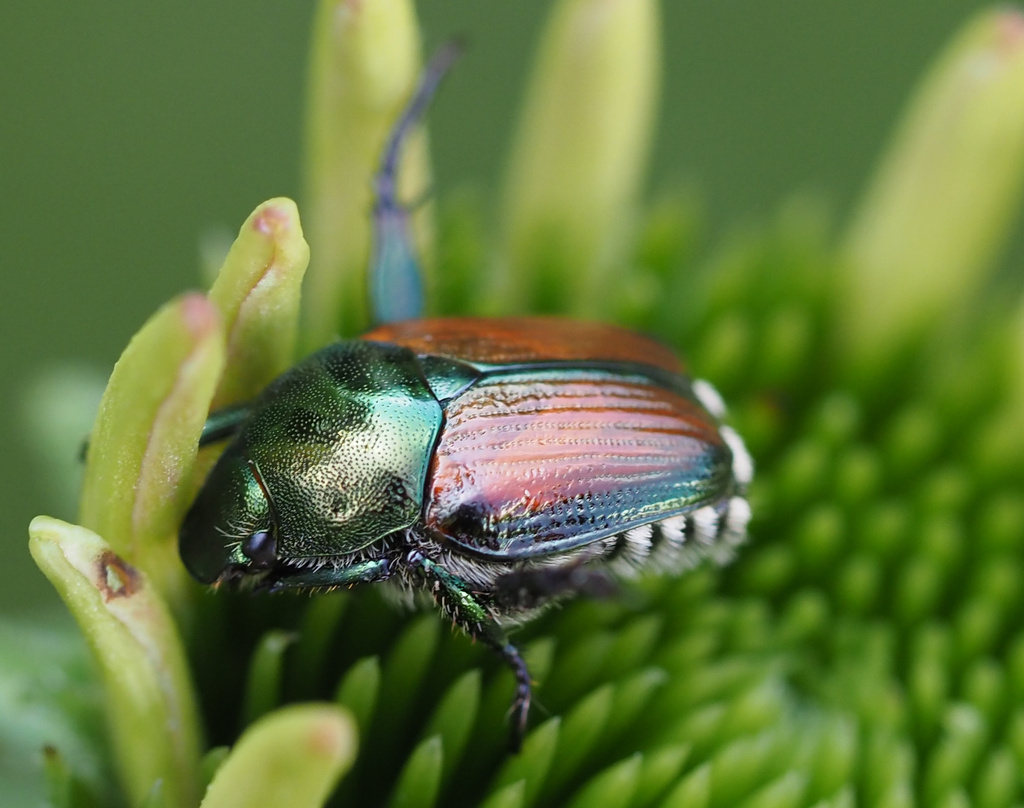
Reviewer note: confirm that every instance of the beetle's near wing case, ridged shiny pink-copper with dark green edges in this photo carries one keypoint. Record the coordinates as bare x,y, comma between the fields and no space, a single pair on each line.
535,463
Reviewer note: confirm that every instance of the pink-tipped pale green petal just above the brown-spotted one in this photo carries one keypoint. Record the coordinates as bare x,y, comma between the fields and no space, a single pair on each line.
144,446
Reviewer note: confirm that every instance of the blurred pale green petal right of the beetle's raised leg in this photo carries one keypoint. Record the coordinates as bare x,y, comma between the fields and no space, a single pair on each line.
580,153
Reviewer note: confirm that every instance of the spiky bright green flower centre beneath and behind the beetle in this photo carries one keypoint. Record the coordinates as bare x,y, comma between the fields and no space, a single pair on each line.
864,648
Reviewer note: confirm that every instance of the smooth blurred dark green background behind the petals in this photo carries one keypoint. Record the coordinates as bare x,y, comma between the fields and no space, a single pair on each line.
127,132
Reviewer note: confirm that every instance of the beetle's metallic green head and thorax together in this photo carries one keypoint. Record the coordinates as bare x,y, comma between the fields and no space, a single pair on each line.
340,445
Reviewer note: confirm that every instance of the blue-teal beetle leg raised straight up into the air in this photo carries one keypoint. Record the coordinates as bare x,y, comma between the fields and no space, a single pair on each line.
396,284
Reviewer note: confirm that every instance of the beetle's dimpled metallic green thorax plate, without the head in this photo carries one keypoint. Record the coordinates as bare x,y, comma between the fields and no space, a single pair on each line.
345,443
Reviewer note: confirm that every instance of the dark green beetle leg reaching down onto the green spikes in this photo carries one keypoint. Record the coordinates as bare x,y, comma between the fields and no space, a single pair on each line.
453,596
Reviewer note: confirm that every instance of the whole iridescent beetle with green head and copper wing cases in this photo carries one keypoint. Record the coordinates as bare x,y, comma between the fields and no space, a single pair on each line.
498,465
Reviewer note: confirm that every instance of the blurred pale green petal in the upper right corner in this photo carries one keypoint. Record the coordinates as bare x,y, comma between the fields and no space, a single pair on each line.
938,210
